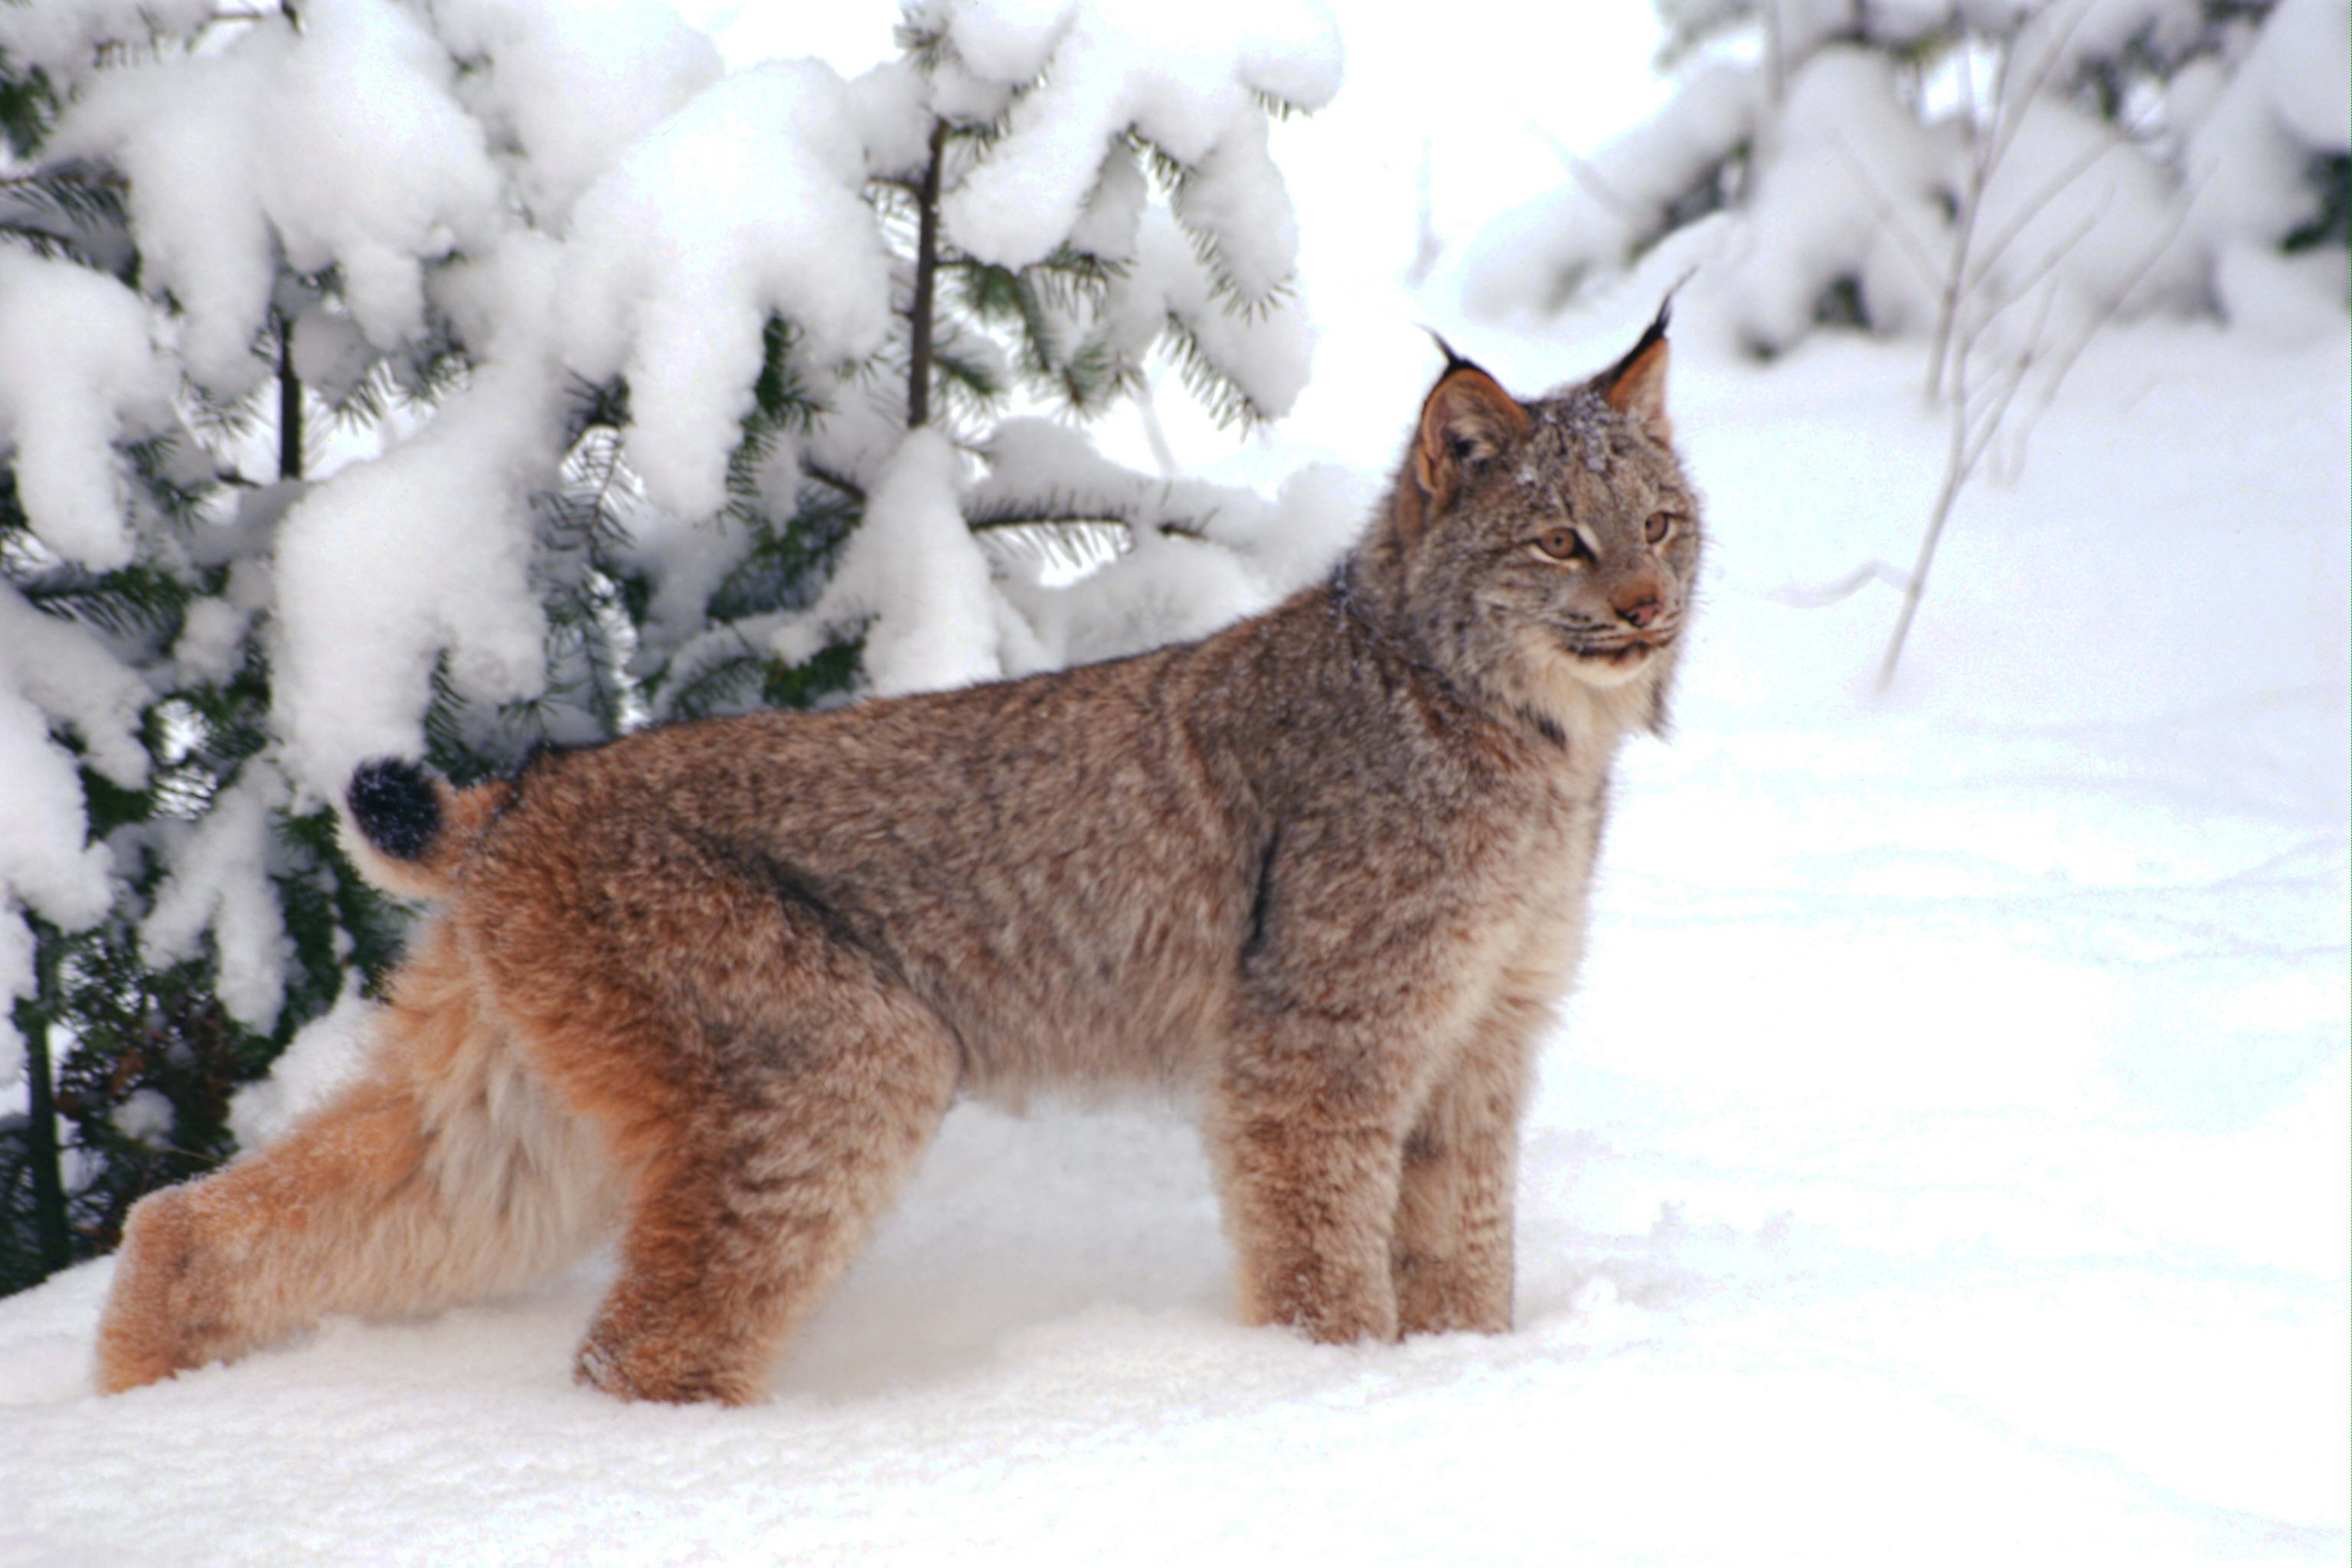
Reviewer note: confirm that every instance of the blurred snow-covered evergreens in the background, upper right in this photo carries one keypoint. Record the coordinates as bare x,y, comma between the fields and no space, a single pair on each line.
2146,154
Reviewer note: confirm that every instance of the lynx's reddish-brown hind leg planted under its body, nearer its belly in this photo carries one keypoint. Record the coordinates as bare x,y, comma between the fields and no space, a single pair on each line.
815,1108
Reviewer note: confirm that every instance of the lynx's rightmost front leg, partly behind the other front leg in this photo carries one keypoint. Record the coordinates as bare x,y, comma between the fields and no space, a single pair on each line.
1452,1245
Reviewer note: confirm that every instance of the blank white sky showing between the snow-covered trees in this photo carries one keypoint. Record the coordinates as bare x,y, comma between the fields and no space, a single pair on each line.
1488,95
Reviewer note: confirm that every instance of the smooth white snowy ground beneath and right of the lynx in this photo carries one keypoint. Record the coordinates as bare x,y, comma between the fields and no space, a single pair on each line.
1946,1158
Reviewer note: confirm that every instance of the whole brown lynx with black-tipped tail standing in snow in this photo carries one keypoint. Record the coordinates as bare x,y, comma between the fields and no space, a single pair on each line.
714,986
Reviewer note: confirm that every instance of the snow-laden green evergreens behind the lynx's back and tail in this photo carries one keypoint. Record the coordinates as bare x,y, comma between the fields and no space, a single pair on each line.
472,375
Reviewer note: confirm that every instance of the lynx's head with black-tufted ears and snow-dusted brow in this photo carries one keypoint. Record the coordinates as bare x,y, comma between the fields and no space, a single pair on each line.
1542,554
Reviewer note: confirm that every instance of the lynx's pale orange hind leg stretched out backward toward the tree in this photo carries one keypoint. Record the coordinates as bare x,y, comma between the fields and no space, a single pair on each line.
443,1177
